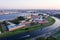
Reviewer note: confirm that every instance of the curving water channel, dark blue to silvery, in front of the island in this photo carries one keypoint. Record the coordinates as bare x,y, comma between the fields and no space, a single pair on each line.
34,33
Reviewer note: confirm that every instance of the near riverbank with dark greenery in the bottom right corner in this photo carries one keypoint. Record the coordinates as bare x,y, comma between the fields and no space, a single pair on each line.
54,34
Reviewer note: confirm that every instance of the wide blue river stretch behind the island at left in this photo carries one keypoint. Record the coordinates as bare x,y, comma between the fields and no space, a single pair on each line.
11,16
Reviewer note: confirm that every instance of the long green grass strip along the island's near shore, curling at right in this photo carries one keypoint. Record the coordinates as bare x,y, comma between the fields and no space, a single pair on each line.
34,27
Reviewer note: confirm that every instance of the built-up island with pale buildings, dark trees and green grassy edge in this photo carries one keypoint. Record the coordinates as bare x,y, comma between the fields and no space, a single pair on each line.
23,24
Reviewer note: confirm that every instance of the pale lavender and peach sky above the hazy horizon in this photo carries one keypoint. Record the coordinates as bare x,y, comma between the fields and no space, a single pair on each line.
29,4
